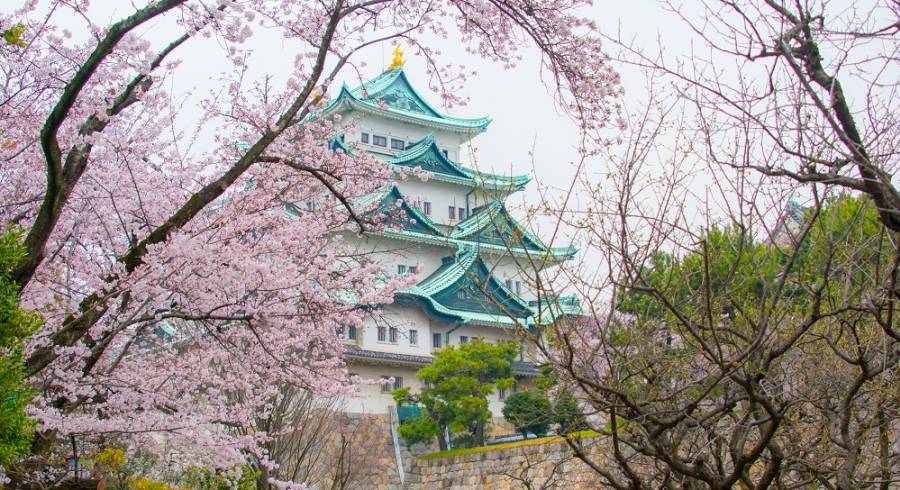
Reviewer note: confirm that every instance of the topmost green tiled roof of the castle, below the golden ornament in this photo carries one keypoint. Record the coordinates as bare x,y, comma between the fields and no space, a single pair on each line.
390,94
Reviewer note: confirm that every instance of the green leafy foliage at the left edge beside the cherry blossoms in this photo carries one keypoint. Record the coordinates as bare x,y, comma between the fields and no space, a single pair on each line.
16,324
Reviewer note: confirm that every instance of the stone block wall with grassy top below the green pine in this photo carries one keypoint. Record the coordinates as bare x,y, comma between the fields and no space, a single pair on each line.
544,466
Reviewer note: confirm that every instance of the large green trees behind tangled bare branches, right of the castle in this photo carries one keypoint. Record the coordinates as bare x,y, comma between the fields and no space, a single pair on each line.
799,327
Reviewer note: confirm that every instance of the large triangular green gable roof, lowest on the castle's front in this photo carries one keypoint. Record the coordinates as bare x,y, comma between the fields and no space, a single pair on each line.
464,290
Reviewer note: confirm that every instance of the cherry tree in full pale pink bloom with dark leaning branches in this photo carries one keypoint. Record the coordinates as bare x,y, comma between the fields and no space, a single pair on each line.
178,274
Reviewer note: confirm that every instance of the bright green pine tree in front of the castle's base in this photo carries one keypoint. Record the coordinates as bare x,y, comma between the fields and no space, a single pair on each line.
457,384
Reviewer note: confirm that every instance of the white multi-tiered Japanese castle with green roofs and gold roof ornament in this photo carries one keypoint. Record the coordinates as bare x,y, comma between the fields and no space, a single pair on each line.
468,254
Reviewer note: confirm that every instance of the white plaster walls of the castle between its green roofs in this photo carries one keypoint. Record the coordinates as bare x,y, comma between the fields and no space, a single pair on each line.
392,253
